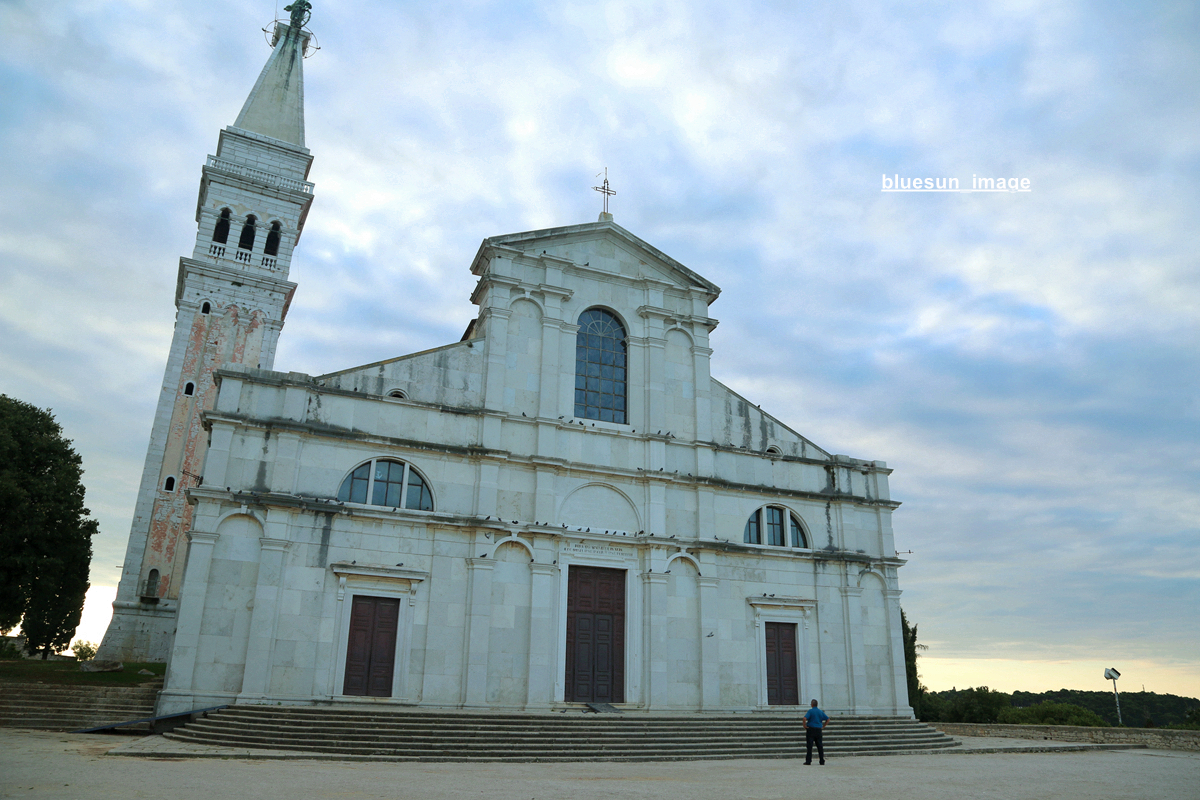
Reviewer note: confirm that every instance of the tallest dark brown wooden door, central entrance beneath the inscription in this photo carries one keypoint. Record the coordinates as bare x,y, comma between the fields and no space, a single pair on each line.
596,635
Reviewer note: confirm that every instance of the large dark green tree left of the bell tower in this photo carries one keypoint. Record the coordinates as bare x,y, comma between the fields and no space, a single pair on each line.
45,531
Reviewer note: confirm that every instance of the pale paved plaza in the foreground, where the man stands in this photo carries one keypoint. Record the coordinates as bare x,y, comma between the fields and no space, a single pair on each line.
43,765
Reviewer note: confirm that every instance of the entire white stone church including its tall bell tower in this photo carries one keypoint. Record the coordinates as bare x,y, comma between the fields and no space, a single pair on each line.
562,508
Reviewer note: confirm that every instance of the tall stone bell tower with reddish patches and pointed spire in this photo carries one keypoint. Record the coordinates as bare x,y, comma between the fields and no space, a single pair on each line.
232,297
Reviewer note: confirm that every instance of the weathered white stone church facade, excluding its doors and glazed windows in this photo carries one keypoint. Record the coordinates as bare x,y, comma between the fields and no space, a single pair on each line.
523,492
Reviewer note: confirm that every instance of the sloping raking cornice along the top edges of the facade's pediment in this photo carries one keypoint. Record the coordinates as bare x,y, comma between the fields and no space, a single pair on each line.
667,268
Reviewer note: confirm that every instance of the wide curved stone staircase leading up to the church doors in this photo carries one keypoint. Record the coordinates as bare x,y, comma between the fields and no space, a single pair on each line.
568,737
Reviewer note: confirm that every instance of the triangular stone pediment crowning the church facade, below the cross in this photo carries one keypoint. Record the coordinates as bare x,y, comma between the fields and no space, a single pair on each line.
597,246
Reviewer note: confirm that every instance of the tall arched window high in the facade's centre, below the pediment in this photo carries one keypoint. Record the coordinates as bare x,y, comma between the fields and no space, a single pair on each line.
602,374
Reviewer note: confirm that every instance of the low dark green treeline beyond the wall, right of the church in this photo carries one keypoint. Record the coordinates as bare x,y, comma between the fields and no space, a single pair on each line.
1063,707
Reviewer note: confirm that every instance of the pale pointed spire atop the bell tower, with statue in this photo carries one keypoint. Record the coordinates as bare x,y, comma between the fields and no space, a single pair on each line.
275,106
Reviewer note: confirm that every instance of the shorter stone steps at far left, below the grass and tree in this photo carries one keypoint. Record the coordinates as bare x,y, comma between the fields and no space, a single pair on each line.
51,707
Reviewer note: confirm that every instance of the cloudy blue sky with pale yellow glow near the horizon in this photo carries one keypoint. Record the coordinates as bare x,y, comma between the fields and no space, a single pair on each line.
1025,362
